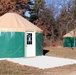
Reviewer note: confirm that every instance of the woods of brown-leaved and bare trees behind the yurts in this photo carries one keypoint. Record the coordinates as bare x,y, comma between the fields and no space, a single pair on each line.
55,21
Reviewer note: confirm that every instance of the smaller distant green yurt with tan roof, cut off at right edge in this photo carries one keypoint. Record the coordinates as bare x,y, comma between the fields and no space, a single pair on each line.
69,39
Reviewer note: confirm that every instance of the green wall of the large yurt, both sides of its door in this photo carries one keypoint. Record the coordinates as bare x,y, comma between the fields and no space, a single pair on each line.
12,44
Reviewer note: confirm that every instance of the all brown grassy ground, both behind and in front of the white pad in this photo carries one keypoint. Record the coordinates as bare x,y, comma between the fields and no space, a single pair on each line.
10,68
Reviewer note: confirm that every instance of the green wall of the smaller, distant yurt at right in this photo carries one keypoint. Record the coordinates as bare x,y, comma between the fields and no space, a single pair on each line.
69,42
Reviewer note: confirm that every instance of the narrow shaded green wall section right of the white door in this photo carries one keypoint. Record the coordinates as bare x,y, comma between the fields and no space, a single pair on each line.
39,42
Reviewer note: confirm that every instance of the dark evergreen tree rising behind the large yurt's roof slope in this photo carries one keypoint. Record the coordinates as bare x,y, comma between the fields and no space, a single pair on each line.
36,9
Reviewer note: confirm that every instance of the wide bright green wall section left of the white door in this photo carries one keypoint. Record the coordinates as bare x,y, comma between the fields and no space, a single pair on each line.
11,44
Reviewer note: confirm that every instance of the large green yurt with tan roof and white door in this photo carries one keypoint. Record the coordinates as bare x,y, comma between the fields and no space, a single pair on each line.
19,37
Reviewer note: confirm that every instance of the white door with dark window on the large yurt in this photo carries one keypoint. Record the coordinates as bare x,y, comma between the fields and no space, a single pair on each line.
30,47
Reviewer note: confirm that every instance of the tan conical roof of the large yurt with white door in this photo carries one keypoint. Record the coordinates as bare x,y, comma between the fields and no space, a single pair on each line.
15,22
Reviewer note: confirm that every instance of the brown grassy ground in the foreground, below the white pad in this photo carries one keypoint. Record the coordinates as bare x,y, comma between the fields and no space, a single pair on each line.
9,68
